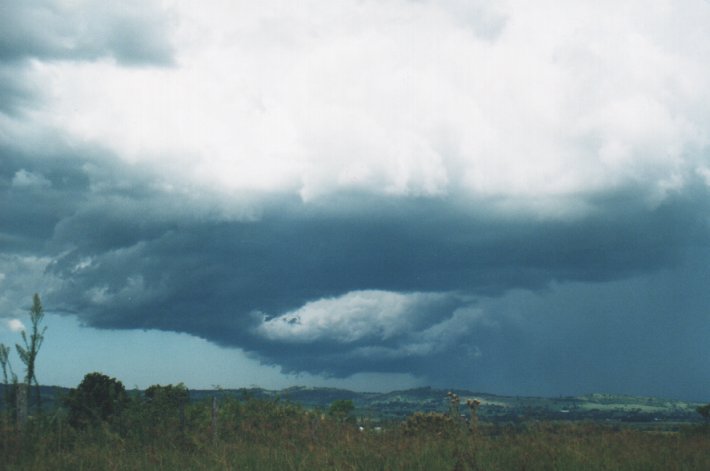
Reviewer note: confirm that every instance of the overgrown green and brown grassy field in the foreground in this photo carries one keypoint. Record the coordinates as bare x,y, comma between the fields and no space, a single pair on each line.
269,435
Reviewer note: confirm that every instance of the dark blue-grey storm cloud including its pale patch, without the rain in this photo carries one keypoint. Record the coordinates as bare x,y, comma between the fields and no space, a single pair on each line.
358,283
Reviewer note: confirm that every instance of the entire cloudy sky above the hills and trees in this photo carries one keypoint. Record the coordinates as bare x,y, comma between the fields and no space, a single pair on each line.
506,196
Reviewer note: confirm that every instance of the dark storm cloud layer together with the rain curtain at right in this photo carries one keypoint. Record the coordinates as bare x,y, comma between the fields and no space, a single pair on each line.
506,304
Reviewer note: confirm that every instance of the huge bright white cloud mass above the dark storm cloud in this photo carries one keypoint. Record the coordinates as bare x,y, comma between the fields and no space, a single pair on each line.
516,101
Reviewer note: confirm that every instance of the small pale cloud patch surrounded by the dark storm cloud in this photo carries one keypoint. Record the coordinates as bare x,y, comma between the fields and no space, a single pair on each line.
368,319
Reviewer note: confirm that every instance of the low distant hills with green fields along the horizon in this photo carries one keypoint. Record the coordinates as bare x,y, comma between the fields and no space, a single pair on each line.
397,405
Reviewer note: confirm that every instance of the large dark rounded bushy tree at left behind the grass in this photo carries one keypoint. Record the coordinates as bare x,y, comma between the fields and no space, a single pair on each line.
98,398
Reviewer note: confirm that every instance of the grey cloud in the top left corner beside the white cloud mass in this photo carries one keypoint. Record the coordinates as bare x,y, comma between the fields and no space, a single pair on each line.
131,32
